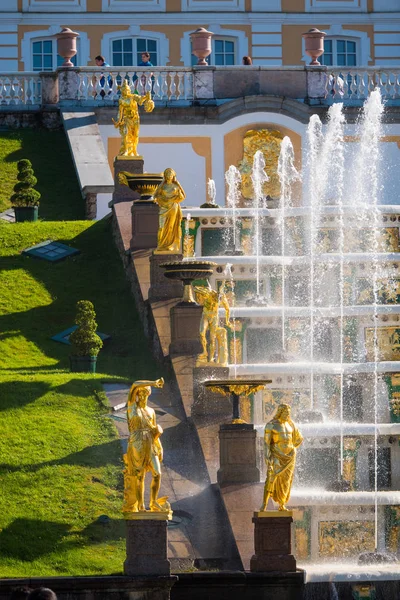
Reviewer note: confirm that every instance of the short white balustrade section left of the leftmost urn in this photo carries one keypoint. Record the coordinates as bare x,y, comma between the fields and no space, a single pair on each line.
20,89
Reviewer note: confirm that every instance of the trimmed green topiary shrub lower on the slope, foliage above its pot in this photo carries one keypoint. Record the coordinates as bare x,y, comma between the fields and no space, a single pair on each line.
84,339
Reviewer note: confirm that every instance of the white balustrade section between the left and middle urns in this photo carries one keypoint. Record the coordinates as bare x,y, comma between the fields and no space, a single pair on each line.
100,85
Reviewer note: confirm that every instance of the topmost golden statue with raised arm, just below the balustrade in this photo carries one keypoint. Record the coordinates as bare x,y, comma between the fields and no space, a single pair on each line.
128,120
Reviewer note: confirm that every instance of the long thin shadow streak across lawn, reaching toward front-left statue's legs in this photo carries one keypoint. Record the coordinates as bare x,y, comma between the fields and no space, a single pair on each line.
100,455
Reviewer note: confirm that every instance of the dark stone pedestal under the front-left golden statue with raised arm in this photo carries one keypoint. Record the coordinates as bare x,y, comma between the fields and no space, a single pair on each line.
146,547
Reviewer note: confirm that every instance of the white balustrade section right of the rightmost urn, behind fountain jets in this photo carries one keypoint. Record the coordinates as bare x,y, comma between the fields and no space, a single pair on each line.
356,83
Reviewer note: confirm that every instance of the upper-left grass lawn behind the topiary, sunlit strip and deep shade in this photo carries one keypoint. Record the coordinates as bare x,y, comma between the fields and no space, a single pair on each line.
52,163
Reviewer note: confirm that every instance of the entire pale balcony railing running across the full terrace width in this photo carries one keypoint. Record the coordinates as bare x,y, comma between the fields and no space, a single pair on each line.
89,86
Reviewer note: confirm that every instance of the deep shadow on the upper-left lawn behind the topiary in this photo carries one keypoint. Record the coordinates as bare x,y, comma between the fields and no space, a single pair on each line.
61,198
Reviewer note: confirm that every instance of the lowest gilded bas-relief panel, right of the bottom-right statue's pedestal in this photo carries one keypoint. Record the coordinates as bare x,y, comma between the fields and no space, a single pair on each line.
346,538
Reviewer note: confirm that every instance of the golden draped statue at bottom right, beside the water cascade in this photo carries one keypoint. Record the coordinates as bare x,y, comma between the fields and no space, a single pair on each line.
281,438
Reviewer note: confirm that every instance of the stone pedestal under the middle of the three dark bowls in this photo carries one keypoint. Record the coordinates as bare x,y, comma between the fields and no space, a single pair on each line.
185,330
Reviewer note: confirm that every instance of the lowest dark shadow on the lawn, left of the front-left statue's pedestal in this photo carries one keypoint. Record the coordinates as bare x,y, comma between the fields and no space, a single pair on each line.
29,539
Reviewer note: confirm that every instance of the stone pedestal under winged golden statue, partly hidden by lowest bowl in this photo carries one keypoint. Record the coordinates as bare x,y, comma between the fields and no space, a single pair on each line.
205,402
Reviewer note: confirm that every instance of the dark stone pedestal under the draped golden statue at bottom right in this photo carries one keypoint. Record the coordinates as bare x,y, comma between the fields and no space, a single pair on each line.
272,544
